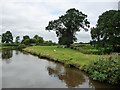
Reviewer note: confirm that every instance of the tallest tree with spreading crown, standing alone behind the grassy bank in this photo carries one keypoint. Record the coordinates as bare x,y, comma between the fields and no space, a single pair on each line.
67,25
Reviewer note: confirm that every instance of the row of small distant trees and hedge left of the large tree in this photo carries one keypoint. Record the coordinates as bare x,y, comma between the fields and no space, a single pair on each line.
7,38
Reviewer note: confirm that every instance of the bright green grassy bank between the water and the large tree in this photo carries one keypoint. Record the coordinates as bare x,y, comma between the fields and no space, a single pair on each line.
64,55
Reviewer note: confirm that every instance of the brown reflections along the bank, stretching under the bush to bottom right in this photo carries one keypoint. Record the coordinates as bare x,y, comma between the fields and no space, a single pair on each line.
74,78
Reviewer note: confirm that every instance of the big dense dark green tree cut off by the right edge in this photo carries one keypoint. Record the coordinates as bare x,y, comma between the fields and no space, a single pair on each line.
107,31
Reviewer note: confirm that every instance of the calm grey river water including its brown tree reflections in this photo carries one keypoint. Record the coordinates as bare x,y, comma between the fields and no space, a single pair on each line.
22,70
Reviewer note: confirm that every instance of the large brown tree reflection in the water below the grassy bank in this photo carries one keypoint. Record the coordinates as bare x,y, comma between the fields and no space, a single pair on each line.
72,77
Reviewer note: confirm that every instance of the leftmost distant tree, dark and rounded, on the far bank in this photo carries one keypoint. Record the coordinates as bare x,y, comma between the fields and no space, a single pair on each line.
7,37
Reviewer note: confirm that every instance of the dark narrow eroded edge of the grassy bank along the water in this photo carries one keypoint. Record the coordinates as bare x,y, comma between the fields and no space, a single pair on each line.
77,66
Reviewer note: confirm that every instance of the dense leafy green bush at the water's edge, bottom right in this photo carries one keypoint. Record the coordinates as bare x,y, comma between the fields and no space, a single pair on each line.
105,69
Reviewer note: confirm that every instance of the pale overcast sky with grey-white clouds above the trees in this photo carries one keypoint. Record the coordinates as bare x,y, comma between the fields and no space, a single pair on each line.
30,17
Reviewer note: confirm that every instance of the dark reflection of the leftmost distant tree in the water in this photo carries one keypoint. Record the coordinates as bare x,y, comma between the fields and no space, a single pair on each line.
6,55
